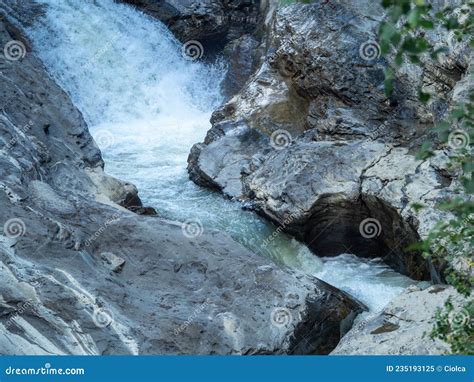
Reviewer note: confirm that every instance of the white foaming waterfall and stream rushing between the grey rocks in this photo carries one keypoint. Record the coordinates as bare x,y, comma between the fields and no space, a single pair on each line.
146,105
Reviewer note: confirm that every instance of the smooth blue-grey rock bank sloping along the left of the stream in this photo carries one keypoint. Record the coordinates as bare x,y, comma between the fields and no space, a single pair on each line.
80,274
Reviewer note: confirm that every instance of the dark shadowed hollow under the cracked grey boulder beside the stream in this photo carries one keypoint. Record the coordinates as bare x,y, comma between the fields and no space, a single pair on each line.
367,227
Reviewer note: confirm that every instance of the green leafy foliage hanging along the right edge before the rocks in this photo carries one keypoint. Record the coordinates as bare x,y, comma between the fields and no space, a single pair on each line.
403,34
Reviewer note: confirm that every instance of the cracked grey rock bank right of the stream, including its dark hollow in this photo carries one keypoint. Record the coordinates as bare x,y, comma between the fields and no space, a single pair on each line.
312,143
